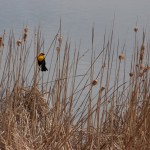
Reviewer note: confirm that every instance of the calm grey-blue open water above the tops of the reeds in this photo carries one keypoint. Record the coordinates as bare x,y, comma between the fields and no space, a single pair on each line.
78,17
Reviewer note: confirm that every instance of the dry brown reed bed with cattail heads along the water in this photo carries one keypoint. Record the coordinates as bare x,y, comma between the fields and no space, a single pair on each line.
64,110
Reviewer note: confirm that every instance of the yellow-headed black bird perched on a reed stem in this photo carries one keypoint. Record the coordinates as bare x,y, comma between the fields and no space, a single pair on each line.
41,62
